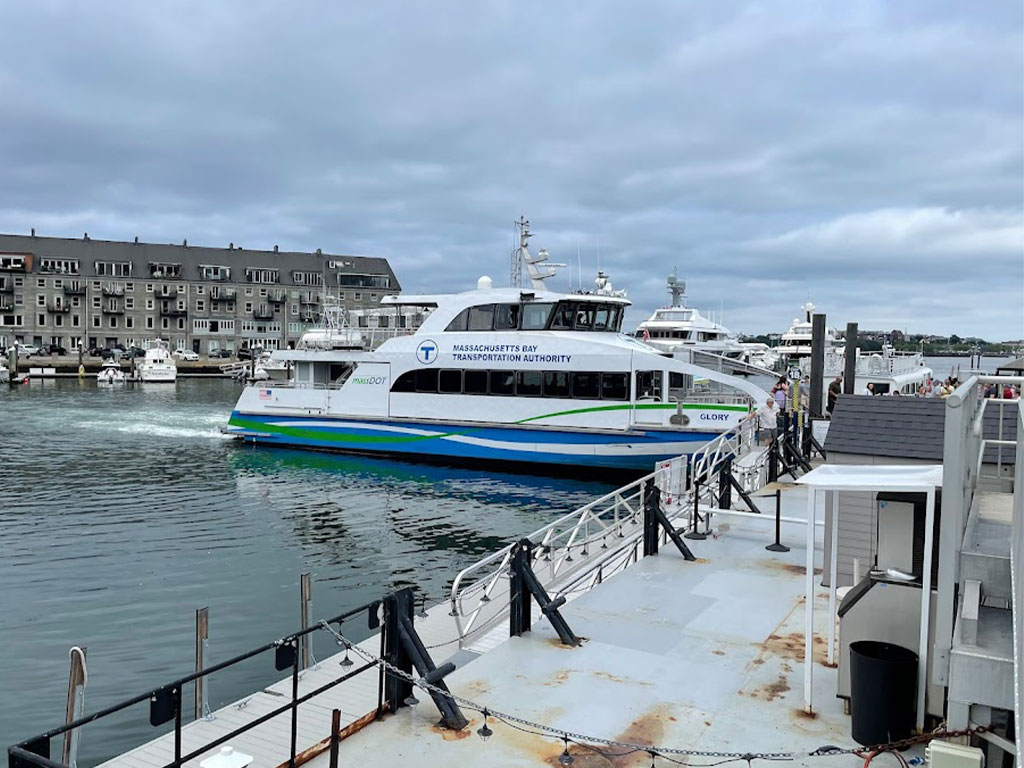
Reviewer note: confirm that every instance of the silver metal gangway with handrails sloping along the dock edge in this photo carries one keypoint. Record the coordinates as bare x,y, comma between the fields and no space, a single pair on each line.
579,550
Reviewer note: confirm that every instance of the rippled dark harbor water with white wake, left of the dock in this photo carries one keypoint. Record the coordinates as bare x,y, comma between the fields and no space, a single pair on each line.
125,510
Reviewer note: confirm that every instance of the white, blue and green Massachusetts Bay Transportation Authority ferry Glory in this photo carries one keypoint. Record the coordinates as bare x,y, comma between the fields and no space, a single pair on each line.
499,374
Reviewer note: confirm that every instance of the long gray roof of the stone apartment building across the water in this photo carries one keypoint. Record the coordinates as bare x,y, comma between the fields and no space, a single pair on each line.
189,257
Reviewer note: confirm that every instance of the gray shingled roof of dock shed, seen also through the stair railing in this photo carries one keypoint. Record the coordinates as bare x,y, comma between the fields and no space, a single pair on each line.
906,428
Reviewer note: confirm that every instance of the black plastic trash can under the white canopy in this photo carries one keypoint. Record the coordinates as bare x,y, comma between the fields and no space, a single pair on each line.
883,693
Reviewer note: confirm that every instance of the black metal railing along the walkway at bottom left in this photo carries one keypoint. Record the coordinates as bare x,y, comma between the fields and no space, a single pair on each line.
166,703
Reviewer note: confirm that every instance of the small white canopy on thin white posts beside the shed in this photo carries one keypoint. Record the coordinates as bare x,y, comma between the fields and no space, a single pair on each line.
868,478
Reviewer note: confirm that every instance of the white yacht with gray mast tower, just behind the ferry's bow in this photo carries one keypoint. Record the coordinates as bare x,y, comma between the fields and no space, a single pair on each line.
679,326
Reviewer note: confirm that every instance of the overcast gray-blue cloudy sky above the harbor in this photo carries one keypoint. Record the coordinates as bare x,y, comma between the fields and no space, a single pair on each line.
866,156
